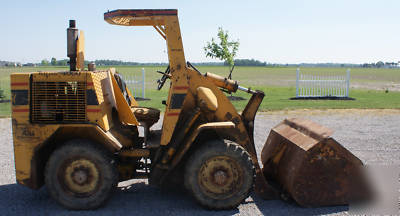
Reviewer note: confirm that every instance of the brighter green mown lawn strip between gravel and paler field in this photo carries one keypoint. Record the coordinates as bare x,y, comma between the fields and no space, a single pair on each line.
278,98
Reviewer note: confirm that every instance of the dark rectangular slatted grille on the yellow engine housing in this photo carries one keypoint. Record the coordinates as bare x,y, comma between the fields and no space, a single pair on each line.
58,102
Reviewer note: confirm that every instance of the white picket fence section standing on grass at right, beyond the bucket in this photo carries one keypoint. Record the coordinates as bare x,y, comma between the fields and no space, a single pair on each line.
322,84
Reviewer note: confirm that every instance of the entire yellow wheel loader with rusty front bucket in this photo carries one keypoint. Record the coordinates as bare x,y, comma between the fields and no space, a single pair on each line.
81,132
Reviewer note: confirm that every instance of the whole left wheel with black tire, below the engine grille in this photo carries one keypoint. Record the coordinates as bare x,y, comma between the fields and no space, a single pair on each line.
80,175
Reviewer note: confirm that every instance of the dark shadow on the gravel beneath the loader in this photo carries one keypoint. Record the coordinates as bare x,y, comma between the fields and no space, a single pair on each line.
141,199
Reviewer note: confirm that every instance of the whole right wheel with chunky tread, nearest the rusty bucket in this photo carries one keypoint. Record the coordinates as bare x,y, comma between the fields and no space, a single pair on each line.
219,175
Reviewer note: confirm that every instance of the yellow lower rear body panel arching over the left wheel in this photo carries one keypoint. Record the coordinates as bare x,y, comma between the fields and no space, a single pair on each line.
33,144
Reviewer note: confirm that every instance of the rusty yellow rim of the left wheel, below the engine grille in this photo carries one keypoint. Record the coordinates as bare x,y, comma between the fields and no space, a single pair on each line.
79,177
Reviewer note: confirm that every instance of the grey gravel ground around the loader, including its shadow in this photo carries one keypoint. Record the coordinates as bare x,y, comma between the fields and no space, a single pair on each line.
371,135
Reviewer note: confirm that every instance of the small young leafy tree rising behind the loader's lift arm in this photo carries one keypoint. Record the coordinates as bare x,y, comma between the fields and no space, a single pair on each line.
224,50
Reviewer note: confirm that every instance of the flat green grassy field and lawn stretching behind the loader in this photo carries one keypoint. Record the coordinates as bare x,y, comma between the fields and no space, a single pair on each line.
372,88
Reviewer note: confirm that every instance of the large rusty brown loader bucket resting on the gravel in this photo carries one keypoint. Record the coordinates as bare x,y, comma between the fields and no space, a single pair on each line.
310,166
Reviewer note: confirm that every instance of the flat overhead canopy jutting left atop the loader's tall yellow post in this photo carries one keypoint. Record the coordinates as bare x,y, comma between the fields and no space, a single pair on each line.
142,17
